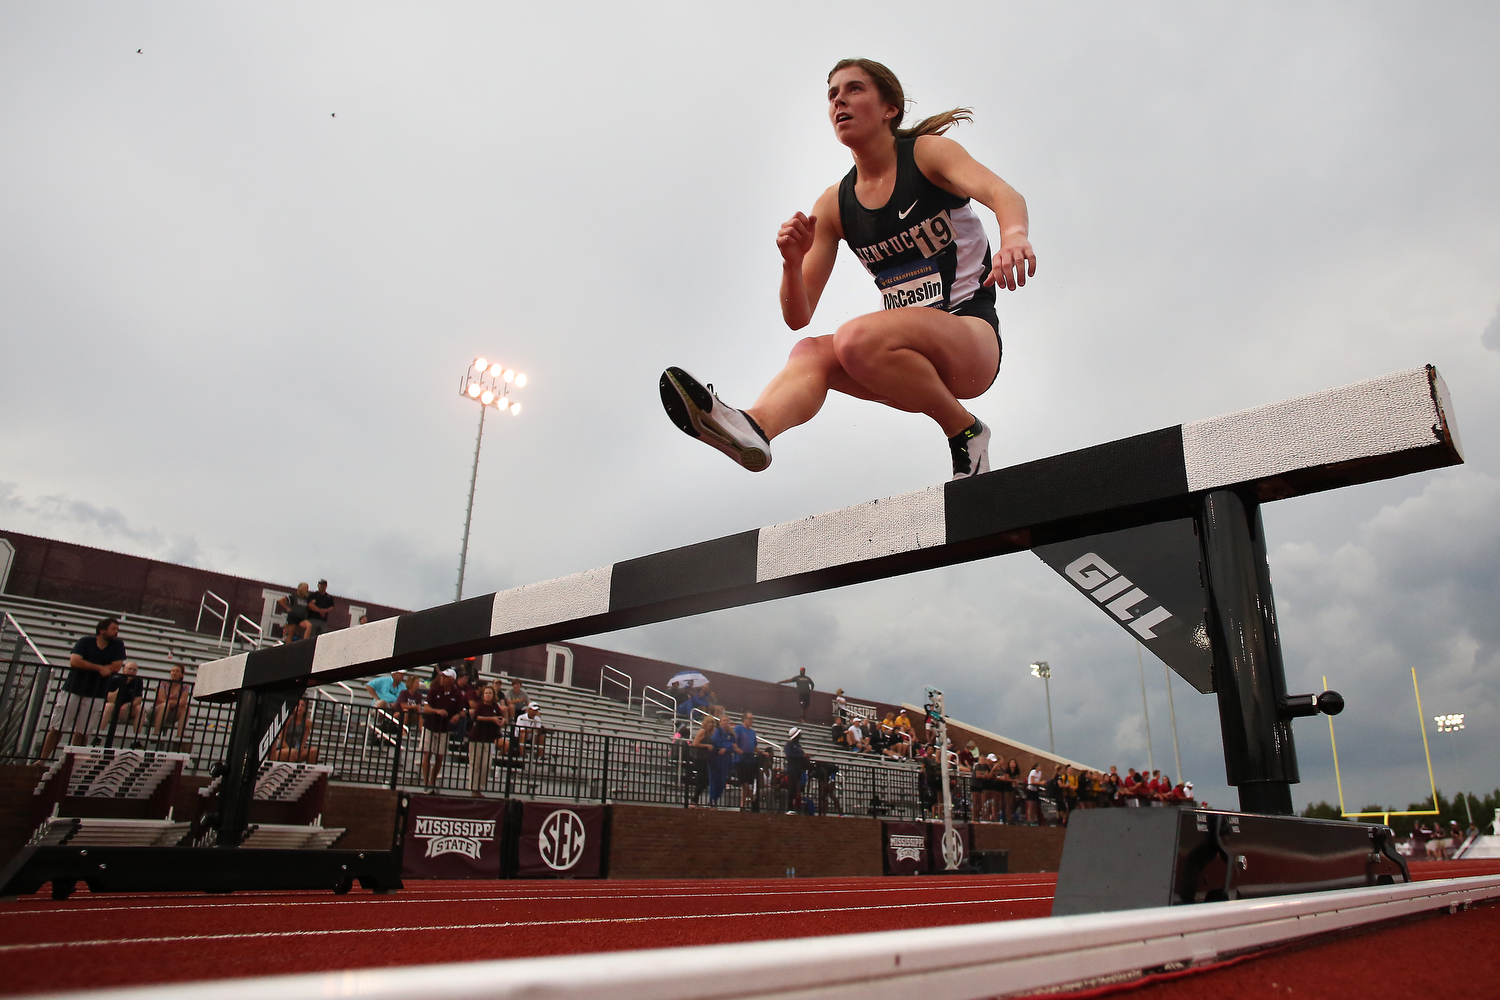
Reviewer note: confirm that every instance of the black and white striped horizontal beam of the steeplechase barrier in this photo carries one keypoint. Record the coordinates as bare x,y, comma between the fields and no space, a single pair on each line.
1370,431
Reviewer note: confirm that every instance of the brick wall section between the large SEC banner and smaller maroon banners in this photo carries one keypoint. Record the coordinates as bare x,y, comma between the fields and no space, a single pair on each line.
673,843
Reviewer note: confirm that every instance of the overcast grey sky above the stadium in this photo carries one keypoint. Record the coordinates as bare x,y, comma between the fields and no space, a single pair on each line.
244,269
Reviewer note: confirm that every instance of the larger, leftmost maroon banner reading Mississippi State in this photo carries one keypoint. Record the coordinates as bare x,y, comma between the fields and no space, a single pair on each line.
452,839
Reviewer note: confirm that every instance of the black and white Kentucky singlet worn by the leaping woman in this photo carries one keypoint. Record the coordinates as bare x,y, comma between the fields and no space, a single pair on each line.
925,247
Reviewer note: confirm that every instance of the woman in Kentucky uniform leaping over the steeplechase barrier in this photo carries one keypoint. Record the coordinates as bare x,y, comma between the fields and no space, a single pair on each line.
904,209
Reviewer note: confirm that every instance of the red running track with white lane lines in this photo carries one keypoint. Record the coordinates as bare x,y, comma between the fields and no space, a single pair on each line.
127,941
